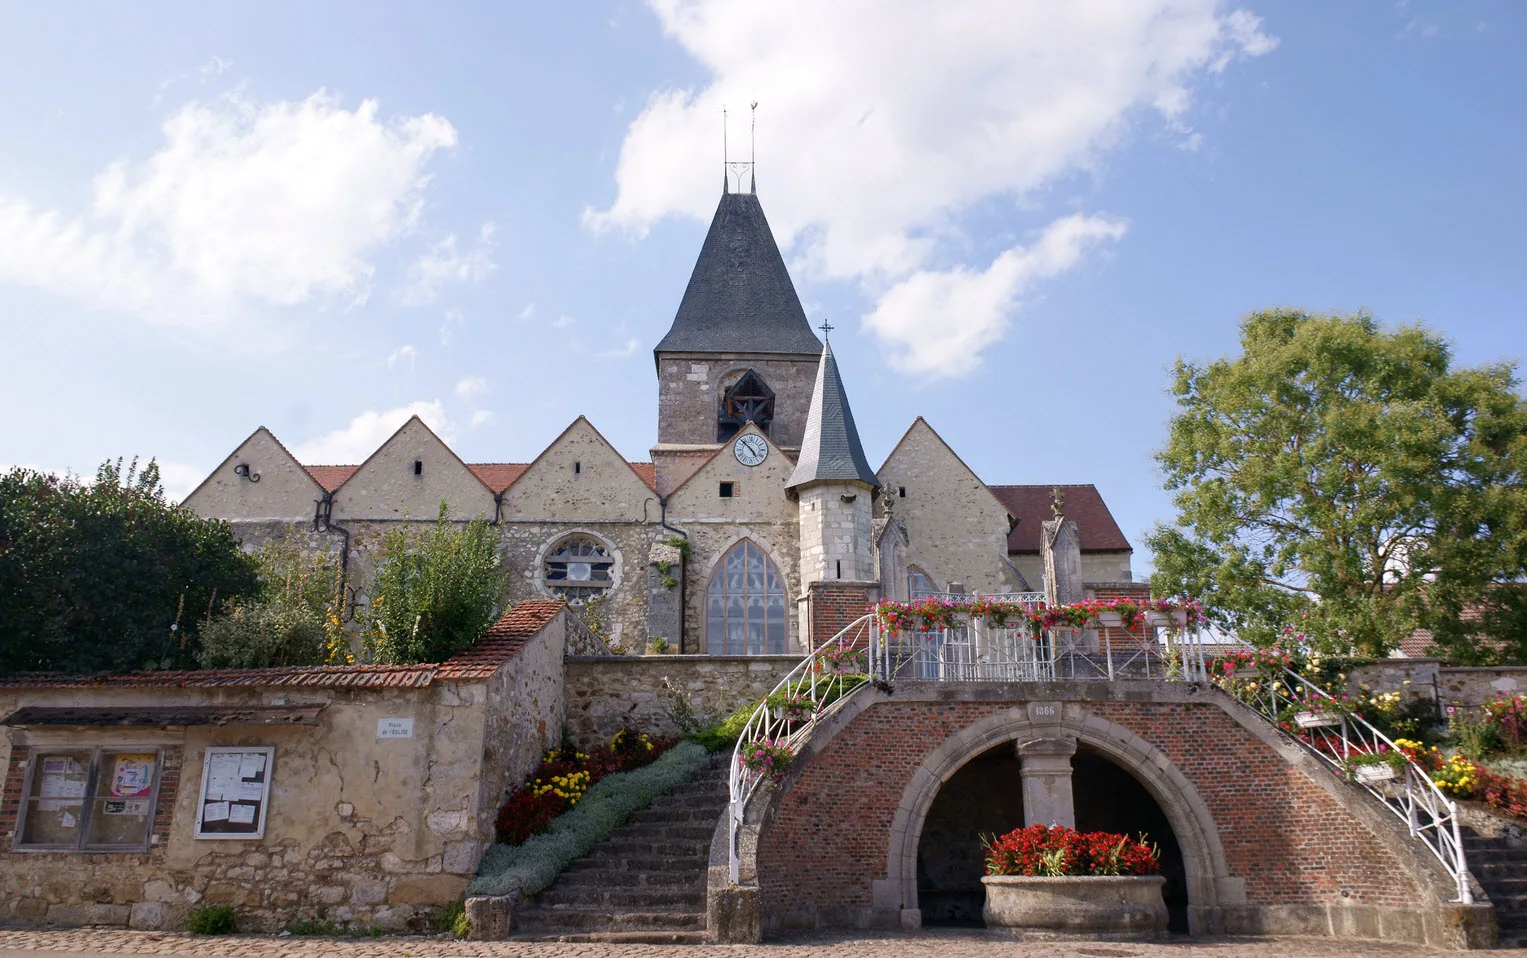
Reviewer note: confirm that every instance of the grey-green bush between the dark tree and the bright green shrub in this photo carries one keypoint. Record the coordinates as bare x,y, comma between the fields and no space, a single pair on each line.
294,620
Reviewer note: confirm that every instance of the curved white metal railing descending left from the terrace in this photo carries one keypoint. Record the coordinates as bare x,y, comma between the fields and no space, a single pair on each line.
787,716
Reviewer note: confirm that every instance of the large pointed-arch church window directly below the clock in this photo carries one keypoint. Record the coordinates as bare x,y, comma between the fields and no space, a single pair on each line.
746,604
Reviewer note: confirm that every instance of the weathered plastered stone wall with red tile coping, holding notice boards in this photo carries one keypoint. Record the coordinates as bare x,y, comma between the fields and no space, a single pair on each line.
383,785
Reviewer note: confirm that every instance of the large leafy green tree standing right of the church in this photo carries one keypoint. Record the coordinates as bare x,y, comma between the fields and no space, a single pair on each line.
1346,479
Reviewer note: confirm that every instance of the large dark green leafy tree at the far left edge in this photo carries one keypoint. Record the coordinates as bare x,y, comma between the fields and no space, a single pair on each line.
108,575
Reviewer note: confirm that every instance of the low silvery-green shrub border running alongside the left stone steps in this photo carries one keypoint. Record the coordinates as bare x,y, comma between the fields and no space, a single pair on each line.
531,867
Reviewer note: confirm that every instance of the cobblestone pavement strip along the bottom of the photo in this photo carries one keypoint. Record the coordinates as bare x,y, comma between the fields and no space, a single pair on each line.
925,945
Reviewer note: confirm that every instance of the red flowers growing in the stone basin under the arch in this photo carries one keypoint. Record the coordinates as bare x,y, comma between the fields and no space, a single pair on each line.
1056,850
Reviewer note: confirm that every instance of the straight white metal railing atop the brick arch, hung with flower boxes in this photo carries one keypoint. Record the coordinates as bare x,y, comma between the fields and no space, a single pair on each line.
980,650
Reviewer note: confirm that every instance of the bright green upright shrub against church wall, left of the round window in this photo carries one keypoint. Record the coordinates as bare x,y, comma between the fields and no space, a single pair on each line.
434,597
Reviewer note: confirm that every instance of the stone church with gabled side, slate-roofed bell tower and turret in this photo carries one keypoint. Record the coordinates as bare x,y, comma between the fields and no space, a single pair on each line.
757,526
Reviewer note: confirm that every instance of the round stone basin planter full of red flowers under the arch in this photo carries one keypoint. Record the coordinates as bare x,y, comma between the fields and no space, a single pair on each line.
1053,882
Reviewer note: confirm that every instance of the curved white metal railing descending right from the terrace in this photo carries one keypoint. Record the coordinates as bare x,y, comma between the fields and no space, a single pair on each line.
1337,739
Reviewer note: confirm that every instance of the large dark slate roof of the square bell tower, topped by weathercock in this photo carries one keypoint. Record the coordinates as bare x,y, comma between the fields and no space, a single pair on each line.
740,299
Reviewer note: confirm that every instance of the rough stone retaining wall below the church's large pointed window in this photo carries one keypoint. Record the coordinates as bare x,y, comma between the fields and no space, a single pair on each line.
607,694
